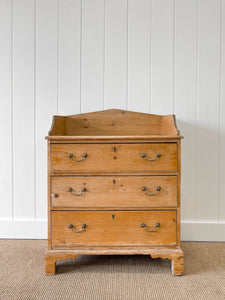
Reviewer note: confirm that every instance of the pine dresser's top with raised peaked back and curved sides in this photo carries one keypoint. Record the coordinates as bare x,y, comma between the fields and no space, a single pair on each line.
114,124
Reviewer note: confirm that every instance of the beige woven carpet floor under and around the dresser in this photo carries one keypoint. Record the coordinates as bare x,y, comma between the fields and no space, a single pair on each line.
110,277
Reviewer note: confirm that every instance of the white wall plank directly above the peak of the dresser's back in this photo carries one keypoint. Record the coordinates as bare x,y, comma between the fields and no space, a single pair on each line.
115,54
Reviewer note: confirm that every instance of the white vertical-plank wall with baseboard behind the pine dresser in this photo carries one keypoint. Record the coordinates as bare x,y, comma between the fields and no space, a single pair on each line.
73,56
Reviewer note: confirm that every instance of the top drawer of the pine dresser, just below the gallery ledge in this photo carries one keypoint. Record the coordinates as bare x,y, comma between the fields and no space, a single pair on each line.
76,158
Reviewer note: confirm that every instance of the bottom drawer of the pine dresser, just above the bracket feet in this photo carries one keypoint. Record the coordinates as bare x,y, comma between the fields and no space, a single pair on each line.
113,228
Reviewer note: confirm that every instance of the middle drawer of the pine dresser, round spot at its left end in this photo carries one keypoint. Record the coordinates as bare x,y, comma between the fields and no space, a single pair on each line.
114,191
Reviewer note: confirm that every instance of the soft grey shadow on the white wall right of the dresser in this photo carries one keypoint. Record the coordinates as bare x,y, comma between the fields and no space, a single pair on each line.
200,169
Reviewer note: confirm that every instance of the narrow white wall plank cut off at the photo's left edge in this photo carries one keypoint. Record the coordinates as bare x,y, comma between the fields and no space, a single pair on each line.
5,109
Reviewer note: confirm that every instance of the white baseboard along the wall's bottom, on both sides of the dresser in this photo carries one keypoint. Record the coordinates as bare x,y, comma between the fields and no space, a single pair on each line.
37,229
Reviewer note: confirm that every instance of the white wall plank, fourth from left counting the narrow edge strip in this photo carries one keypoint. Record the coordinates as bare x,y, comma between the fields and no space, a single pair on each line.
69,38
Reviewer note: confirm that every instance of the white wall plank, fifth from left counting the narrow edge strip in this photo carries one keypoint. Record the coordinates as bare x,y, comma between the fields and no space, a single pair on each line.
92,55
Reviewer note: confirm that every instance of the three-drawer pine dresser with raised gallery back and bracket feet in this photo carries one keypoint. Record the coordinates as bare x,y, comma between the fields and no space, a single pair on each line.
114,186
